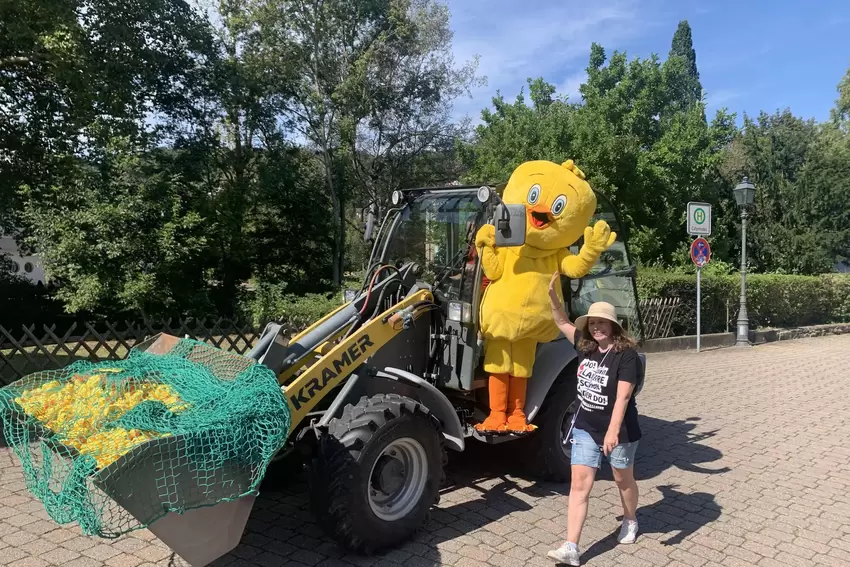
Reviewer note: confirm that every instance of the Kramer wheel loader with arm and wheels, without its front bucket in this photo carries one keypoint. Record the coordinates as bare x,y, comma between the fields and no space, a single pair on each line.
382,388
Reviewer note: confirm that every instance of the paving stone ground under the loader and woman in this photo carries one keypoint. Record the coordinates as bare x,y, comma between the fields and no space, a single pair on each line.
745,461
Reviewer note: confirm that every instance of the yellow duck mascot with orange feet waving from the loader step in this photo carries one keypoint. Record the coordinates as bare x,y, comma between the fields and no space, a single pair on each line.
515,312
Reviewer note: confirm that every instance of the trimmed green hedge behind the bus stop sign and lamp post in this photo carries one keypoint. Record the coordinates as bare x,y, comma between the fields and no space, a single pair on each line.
773,300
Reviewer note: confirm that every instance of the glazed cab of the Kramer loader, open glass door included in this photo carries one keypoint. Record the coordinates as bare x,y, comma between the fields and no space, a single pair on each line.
431,233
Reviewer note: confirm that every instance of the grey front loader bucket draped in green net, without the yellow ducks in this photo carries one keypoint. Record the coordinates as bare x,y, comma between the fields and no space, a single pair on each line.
192,488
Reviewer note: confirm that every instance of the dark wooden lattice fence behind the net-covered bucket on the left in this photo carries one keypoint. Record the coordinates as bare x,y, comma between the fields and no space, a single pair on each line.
30,350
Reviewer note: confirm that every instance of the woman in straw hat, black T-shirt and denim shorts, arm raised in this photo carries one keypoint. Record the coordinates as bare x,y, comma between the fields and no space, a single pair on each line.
606,421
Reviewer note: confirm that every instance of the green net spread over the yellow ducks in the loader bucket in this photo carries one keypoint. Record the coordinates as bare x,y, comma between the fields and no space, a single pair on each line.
114,446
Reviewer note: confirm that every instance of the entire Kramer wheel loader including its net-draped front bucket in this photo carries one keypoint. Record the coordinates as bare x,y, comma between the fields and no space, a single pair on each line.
378,392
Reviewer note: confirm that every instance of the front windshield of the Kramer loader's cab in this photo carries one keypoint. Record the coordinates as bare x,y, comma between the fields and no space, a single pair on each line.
438,232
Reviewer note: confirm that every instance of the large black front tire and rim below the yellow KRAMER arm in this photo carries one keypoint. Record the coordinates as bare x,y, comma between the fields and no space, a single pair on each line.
377,472
